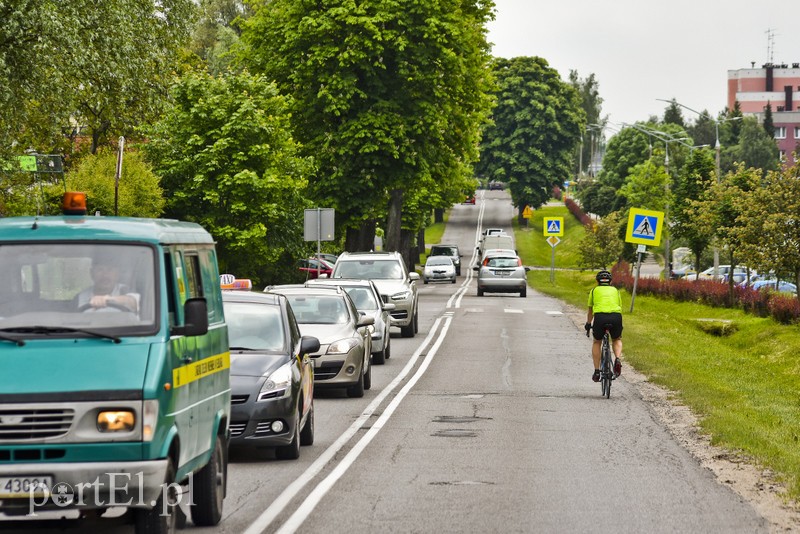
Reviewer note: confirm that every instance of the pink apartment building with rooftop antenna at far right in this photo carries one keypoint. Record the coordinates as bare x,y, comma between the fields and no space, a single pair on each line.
778,85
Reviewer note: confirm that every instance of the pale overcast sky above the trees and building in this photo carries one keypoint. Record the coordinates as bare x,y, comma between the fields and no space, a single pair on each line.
641,51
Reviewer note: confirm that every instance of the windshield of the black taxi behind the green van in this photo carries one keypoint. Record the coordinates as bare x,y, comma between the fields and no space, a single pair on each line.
254,326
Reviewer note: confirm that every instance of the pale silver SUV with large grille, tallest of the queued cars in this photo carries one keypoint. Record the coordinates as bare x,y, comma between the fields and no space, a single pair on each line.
395,283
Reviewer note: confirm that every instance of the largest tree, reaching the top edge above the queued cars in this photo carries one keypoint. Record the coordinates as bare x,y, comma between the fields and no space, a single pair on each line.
388,97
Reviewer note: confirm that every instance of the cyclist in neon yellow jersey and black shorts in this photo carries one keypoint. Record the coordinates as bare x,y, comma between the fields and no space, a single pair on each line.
605,307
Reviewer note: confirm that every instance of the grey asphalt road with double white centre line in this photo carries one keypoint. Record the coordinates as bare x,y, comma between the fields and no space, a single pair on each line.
486,421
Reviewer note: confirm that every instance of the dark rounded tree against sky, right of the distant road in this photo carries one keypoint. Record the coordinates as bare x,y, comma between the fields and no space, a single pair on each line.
536,128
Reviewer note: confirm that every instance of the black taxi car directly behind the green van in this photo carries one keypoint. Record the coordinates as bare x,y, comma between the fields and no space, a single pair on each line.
272,376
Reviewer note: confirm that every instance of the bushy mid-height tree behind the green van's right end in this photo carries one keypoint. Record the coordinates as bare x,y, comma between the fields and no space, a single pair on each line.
227,161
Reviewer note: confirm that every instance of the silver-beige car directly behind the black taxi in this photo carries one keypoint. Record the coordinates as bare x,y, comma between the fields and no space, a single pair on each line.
328,313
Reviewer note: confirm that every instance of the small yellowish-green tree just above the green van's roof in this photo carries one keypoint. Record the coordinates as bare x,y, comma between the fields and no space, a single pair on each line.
139,193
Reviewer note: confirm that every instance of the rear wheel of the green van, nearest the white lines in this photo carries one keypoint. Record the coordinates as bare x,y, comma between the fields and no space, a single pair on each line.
209,488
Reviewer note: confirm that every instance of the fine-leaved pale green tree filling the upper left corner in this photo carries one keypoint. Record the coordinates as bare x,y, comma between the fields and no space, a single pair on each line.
101,68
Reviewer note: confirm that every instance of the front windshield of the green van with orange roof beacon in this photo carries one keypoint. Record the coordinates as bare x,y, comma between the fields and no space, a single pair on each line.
90,286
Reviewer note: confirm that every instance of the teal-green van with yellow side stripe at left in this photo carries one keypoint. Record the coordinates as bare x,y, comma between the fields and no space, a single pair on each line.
114,369
